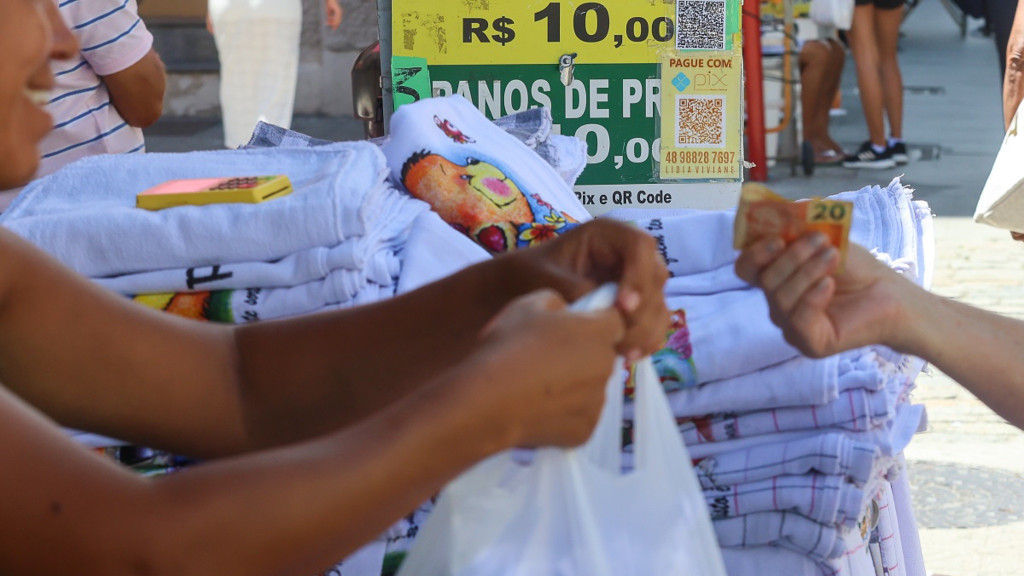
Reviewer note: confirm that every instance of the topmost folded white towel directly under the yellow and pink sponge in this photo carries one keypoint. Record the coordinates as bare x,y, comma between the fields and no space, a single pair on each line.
86,215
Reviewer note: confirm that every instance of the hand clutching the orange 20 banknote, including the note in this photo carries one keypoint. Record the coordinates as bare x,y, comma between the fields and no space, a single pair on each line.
796,263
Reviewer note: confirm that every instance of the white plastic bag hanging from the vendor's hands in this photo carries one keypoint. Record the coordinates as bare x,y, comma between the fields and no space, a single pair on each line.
574,513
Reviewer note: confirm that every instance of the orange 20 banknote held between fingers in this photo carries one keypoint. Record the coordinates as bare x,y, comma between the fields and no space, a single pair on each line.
763,214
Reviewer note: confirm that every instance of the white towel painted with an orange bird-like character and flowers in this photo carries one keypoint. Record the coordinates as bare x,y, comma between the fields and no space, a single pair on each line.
483,182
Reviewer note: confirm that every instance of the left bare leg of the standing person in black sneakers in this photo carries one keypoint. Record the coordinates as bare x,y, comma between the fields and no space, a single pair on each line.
866,55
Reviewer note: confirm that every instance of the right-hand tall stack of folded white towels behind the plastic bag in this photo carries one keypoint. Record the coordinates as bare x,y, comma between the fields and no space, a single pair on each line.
797,457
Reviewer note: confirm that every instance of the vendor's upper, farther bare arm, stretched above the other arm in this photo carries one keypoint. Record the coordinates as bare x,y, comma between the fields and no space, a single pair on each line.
93,361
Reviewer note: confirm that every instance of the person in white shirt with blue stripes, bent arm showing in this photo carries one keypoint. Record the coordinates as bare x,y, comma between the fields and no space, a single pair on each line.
105,96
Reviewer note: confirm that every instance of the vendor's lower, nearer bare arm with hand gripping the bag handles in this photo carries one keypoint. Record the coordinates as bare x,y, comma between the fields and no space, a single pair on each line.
301,509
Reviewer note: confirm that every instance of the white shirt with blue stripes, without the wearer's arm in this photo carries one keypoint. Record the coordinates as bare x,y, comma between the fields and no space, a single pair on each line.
112,38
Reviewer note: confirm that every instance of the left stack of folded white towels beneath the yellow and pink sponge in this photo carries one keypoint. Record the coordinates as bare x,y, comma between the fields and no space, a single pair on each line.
336,241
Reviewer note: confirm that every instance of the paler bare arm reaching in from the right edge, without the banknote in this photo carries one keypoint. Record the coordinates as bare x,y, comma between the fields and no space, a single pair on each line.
823,313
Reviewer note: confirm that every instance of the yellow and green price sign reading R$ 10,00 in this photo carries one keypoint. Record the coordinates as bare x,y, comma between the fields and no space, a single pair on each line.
596,65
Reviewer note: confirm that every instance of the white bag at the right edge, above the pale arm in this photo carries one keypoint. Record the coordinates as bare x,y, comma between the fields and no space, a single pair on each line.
1002,201
